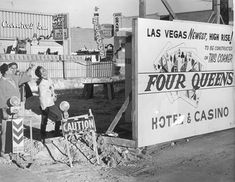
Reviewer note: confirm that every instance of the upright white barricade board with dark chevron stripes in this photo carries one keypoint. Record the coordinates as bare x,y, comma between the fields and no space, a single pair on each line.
18,135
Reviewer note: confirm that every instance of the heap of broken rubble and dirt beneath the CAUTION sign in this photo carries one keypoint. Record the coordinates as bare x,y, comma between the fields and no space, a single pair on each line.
54,150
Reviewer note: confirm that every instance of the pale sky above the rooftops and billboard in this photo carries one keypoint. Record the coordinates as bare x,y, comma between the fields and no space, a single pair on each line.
81,11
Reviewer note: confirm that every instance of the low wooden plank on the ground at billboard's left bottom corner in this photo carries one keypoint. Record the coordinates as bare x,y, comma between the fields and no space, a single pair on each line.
119,141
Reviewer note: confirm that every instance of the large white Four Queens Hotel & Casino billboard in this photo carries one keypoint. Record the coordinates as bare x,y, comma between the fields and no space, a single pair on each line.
184,80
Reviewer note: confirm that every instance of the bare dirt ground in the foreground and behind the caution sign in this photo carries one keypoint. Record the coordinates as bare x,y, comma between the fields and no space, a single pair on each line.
209,157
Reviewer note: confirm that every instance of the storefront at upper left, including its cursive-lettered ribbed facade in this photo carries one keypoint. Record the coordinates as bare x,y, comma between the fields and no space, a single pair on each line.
32,33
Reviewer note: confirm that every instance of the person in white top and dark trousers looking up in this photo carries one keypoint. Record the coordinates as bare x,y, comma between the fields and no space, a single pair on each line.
47,99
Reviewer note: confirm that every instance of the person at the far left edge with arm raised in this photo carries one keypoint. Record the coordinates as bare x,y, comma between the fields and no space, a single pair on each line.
9,87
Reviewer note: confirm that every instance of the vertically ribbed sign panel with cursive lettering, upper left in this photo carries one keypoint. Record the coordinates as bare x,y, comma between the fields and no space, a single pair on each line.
24,24
